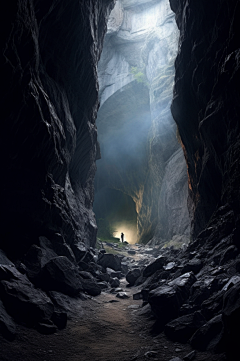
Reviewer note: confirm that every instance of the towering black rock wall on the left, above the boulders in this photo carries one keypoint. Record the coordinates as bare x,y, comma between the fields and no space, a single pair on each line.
49,104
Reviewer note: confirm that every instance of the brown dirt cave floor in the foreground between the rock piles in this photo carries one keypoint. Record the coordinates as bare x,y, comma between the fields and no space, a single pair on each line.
100,329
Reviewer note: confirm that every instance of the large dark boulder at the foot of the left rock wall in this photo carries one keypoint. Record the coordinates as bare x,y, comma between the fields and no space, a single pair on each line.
60,274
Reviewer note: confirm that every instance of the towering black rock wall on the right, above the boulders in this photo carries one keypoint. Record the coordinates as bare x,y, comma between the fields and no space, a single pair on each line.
206,104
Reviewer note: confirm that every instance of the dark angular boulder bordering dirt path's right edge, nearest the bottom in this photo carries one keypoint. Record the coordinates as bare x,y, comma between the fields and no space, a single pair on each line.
182,328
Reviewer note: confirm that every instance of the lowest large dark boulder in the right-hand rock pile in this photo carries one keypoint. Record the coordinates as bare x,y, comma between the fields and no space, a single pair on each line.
210,336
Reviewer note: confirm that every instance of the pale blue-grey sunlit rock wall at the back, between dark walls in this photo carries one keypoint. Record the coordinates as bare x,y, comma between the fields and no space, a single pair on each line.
137,133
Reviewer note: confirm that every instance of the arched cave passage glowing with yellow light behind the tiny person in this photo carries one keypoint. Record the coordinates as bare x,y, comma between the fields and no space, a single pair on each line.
115,213
